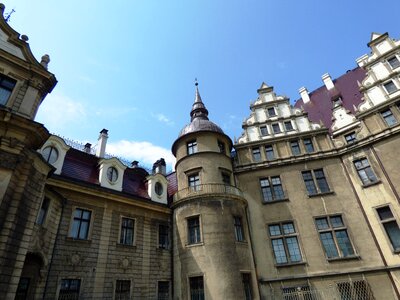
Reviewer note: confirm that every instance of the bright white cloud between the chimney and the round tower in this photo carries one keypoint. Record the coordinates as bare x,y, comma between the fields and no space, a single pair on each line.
144,152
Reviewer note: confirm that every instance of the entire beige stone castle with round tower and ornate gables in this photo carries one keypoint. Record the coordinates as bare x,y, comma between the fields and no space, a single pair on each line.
303,205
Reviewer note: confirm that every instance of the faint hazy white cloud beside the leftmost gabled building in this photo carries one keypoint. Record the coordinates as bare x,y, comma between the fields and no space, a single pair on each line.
58,110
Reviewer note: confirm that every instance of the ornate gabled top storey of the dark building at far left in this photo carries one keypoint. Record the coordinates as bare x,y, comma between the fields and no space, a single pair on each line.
24,82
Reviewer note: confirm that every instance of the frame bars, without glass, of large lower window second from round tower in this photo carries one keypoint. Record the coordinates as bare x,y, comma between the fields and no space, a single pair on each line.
333,230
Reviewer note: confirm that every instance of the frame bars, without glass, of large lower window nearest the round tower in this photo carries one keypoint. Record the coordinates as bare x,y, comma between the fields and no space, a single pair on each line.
283,237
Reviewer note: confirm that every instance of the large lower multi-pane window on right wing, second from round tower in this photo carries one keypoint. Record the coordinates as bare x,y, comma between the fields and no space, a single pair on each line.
334,237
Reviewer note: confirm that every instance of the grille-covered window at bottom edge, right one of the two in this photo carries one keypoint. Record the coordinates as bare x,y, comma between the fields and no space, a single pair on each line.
357,289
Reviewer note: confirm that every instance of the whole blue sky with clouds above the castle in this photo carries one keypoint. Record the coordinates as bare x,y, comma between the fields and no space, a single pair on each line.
129,66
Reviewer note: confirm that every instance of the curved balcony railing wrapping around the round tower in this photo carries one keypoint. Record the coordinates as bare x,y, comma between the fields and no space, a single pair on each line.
205,189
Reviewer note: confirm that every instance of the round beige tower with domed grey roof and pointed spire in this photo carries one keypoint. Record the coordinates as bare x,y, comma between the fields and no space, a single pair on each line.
212,252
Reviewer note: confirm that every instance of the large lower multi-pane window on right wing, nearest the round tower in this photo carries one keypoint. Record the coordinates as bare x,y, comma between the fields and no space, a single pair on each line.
284,243
